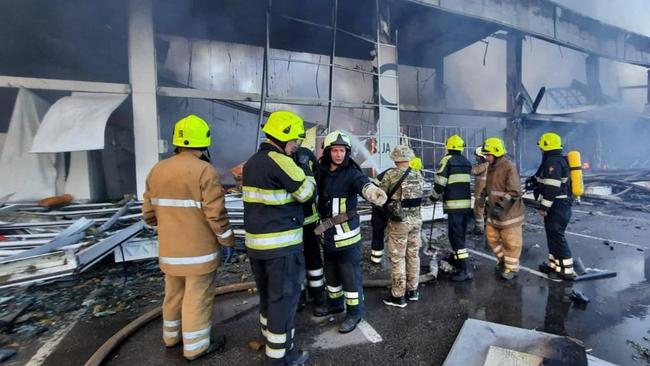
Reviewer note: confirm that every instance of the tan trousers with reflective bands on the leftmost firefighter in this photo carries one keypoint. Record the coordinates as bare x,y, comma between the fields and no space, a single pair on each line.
187,312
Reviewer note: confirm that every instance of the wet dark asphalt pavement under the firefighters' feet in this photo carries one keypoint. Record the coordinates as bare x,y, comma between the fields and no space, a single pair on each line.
613,325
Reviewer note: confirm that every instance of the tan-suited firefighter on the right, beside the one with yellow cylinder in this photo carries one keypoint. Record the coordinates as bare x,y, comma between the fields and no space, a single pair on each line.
504,208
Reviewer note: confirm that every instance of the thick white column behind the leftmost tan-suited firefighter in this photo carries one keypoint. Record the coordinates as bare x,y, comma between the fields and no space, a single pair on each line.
143,78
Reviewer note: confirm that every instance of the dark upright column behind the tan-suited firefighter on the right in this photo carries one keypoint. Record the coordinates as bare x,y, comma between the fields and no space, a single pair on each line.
513,82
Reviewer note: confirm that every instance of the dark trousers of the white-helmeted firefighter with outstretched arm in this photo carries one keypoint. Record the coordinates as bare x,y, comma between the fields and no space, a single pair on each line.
343,278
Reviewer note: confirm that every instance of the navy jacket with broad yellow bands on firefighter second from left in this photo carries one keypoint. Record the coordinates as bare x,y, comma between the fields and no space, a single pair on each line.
274,190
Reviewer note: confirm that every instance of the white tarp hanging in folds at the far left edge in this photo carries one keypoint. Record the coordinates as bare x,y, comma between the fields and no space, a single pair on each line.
31,176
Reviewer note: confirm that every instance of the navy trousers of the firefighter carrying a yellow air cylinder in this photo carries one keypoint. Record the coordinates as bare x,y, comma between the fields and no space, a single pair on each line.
555,224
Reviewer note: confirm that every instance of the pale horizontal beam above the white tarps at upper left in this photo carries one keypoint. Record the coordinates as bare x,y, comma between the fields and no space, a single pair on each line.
64,85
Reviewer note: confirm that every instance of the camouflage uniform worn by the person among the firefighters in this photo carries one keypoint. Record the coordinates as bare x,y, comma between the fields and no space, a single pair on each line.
404,236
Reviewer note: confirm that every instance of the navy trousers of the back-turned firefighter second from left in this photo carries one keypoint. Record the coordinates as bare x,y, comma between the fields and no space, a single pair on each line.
278,282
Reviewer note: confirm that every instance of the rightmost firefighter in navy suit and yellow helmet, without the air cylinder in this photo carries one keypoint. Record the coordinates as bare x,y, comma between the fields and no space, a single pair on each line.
553,188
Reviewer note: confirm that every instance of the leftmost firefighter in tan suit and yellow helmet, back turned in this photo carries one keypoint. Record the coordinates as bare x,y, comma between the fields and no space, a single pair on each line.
184,198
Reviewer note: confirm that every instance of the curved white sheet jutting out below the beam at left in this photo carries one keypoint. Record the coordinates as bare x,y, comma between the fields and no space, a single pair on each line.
76,123
